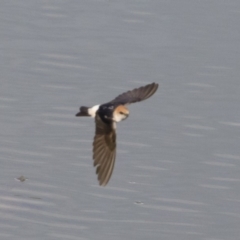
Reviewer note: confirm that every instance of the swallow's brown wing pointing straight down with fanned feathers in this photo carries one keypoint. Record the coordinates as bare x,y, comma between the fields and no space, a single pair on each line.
104,150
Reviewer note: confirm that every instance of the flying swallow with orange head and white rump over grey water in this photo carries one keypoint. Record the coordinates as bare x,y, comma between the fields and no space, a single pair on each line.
106,116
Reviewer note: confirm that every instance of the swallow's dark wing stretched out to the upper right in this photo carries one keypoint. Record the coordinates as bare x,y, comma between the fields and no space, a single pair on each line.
136,95
